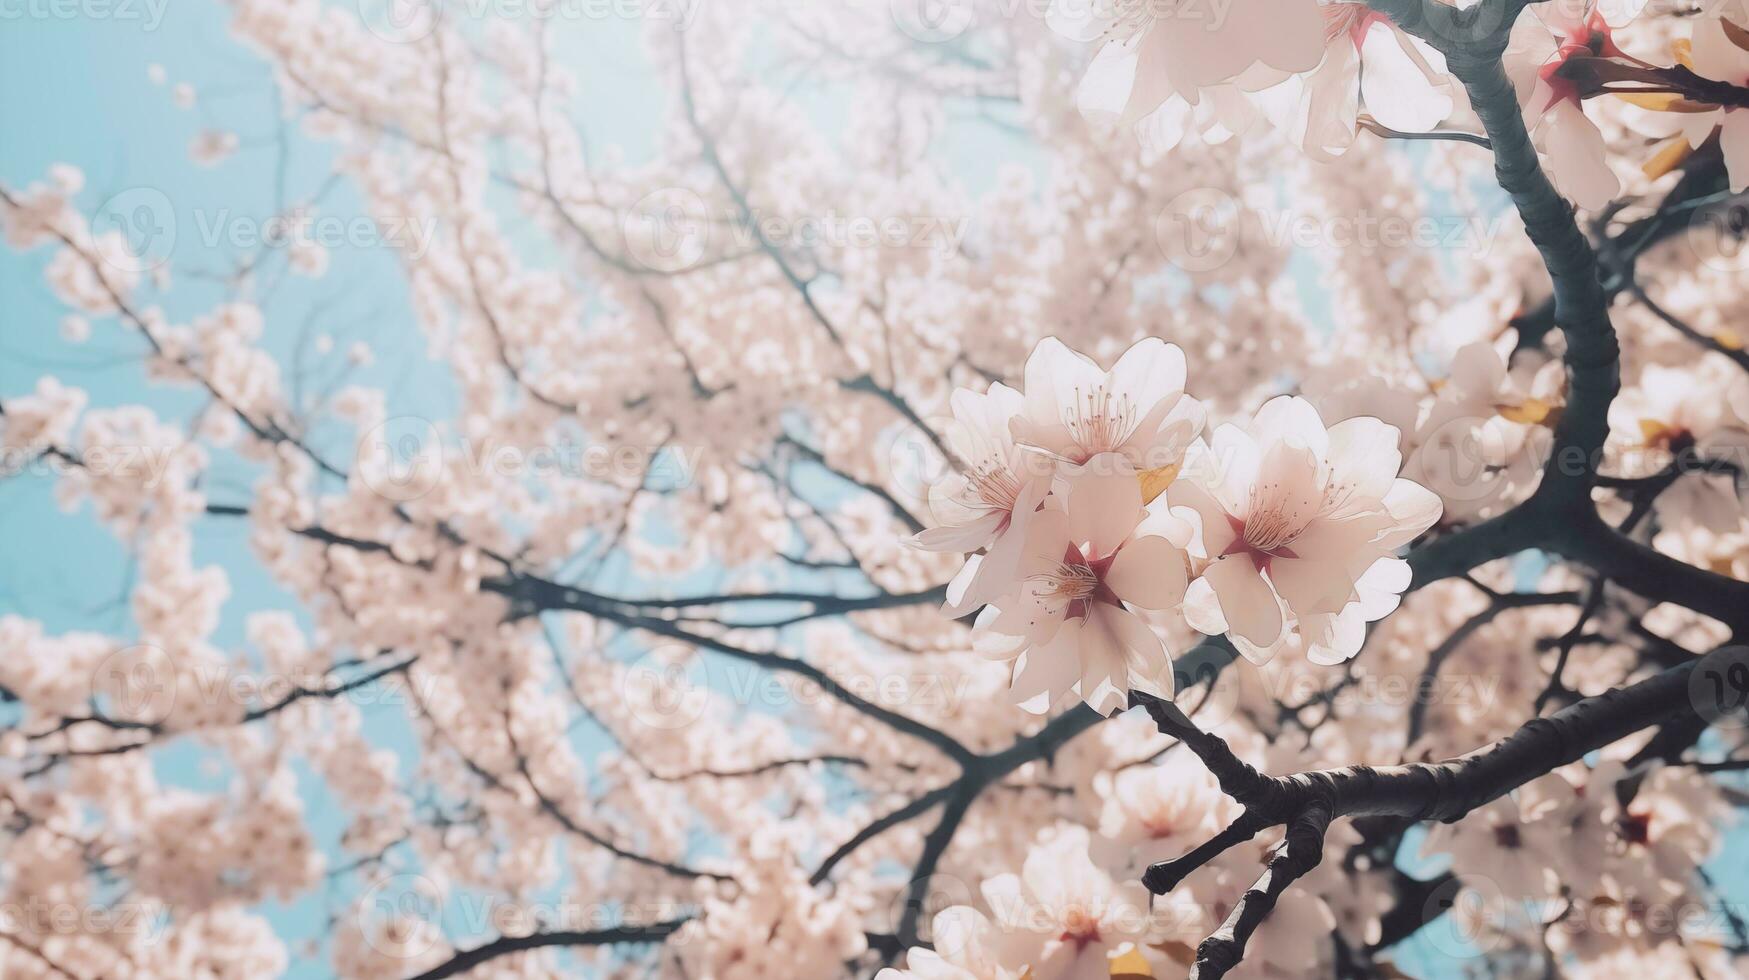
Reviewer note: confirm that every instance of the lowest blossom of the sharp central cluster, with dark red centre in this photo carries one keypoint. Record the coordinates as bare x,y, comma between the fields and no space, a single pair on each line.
1089,559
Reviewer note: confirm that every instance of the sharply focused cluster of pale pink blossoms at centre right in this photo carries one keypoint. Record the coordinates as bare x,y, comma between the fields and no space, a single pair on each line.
1101,514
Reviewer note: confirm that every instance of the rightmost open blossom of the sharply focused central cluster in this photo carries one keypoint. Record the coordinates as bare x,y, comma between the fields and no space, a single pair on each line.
1293,517
